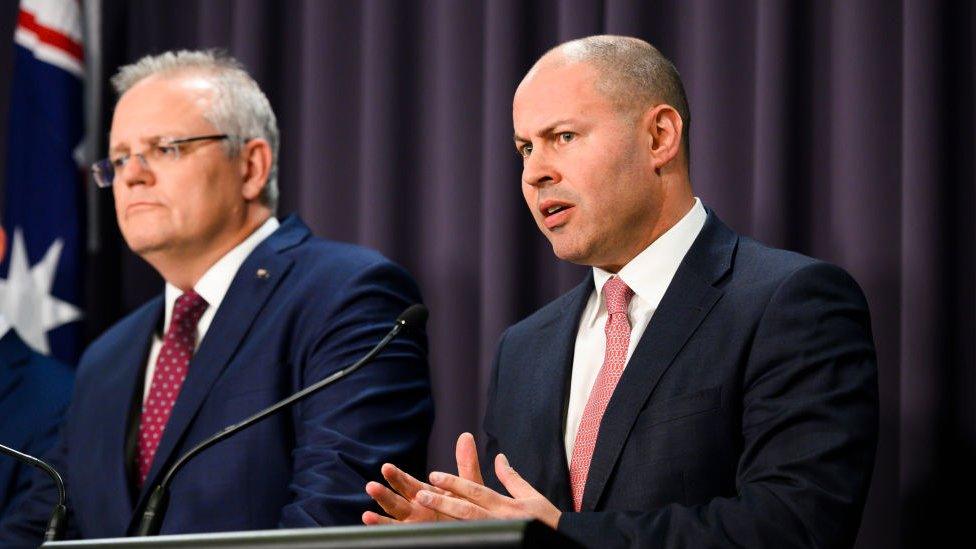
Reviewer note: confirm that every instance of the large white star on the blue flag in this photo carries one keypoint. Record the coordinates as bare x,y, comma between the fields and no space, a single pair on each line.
25,296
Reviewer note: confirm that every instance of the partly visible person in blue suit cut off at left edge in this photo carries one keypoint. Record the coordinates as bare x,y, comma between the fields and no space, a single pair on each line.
34,393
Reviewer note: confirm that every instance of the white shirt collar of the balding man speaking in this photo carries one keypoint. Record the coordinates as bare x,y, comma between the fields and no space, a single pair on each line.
650,272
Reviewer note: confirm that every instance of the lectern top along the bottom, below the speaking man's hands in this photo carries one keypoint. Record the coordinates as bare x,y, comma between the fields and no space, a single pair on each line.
502,534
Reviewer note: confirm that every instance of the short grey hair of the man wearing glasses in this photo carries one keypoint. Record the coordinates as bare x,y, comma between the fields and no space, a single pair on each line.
239,107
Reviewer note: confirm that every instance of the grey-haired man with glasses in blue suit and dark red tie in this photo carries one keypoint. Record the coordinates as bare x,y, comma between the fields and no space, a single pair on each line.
252,312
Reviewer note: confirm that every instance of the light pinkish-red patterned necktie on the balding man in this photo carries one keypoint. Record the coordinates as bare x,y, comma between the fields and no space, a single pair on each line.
617,297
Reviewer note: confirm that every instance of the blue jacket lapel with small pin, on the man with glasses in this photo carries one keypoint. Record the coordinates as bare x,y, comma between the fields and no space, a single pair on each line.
246,297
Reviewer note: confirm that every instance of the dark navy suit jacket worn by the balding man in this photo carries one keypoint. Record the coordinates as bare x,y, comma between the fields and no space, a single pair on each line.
747,415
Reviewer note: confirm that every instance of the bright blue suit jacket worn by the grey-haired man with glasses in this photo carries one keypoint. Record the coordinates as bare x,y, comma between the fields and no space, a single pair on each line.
299,309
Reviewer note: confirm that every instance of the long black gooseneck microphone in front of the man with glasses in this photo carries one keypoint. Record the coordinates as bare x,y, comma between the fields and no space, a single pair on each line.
152,518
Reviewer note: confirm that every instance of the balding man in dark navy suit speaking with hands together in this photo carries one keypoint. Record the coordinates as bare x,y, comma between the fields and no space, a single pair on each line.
697,389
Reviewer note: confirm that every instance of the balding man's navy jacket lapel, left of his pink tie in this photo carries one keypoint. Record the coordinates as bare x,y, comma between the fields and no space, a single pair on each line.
552,364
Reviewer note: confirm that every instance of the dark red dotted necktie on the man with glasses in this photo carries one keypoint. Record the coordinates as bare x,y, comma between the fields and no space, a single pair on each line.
171,368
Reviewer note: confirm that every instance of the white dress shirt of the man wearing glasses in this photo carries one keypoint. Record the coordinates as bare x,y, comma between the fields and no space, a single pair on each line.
212,287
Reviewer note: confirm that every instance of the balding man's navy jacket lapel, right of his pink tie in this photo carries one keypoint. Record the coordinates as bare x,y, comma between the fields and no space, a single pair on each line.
687,302
